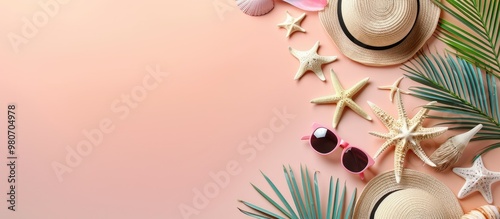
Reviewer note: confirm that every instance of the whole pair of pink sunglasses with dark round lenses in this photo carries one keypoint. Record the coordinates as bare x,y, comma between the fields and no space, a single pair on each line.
325,141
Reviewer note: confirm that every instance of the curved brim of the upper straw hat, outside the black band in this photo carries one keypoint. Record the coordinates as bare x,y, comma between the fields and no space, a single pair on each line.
423,29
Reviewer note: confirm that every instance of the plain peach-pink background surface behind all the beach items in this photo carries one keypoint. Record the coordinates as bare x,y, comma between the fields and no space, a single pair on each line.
228,75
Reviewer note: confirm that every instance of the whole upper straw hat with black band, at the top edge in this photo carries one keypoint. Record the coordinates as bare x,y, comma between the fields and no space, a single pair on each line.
380,32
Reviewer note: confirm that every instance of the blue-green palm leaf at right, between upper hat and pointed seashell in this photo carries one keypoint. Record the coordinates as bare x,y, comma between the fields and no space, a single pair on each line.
461,90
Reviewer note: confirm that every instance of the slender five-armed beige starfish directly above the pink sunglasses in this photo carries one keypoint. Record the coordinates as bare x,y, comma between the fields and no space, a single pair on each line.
343,98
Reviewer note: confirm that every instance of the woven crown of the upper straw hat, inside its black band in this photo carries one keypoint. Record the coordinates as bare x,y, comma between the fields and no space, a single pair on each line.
379,22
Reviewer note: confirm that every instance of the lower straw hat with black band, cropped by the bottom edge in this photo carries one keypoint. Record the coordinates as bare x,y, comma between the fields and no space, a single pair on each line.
418,195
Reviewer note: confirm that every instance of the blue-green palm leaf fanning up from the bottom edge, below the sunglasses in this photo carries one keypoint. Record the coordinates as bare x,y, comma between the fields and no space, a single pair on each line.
307,200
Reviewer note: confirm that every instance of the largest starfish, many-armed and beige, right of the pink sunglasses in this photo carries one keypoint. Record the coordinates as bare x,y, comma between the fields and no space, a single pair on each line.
405,134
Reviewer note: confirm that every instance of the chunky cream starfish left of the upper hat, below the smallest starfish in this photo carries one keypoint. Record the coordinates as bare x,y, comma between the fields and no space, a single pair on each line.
311,61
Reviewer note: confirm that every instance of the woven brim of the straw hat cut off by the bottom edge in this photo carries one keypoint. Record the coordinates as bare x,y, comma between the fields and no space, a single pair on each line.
385,183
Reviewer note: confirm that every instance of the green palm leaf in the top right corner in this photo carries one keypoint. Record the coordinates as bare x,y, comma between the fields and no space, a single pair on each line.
478,42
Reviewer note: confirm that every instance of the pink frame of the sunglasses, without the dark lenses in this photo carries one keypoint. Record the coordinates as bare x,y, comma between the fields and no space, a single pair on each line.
345,146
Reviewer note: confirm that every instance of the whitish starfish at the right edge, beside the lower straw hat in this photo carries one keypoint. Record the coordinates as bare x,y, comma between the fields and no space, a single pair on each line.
477,178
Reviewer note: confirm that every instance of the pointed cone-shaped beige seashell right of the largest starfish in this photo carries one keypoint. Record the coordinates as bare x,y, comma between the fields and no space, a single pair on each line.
450,151
